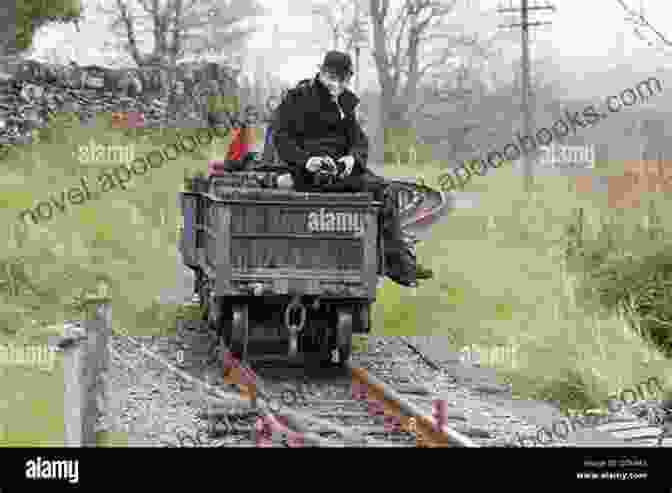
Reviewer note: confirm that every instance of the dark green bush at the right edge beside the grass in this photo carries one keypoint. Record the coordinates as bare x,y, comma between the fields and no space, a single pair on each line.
625,267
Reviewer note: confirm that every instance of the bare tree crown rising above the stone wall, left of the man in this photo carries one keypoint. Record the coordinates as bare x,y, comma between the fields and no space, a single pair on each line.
179,27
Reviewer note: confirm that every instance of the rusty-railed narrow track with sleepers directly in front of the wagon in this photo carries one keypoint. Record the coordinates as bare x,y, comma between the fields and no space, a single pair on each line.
344,407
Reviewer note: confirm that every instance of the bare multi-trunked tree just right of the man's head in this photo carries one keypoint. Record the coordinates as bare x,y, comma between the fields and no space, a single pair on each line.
402,39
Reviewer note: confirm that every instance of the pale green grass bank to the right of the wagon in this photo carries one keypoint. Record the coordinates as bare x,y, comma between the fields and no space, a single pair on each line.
504,276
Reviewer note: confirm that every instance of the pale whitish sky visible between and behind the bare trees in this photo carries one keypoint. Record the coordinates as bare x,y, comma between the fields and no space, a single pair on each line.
585,40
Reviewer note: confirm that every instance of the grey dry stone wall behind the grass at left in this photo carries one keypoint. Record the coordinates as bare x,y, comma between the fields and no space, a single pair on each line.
35,92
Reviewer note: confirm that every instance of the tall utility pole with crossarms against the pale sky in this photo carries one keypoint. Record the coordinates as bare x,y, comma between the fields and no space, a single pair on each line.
525,75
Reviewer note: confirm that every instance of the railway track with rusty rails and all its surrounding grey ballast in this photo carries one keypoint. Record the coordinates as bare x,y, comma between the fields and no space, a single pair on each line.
369,404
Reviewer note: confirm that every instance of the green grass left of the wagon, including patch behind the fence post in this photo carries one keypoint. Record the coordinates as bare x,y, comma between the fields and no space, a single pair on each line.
127,237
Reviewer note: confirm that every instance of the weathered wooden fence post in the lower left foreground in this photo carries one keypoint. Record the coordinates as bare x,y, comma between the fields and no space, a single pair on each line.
85,362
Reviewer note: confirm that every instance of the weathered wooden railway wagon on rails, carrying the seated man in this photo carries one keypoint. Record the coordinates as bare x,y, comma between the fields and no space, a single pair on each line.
284,275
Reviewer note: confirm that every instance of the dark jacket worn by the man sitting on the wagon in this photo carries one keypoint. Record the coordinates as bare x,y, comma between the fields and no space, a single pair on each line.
308,123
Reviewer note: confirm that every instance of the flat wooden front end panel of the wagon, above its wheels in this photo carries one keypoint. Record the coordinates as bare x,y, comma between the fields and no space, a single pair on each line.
319,247
